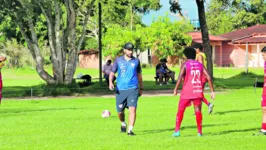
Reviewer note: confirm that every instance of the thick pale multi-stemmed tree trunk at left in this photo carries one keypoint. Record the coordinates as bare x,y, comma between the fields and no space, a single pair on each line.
61,37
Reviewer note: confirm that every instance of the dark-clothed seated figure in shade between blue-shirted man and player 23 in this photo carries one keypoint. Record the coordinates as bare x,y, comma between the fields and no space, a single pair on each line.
162,71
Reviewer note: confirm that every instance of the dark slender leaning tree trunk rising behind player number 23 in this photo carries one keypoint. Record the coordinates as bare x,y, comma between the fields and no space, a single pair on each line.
205,36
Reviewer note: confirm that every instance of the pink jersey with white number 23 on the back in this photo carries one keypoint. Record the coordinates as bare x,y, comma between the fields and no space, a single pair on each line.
192,87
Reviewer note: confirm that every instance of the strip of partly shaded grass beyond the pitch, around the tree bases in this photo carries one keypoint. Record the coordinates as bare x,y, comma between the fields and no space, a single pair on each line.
26,82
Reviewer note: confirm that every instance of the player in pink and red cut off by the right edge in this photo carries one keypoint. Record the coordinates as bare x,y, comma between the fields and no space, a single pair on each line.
263,101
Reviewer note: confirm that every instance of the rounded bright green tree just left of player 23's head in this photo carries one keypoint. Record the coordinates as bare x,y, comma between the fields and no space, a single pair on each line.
168,38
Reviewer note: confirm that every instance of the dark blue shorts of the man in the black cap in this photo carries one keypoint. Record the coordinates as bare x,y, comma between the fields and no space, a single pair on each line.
126,98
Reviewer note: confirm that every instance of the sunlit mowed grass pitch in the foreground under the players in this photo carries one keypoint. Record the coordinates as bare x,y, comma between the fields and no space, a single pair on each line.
76,123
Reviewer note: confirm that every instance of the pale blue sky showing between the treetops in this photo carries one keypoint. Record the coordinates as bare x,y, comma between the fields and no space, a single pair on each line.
188,6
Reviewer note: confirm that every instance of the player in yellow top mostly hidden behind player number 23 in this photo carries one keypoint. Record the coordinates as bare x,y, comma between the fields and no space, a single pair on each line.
201,57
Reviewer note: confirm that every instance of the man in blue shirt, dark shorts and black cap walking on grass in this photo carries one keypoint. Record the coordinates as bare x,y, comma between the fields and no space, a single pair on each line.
129,86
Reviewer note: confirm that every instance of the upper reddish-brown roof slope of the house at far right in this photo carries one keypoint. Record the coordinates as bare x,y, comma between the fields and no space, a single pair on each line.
247,32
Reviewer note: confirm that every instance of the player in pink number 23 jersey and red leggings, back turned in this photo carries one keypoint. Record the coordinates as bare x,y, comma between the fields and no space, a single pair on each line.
192,92
